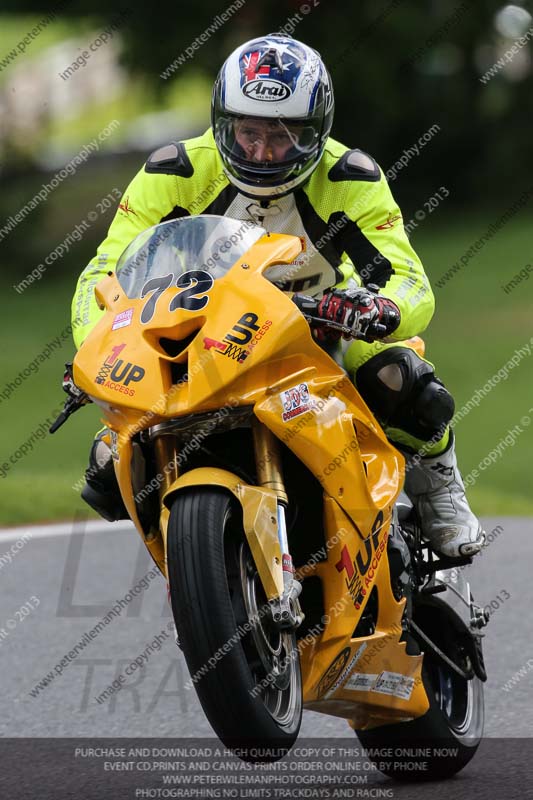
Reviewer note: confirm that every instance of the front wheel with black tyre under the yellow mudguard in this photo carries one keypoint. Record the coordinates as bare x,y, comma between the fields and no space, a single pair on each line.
246,672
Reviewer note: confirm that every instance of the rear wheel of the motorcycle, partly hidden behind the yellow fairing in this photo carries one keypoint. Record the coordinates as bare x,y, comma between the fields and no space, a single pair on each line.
440,743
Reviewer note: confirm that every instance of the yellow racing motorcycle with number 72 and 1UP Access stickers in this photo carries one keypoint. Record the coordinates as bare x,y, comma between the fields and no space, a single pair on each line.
270,498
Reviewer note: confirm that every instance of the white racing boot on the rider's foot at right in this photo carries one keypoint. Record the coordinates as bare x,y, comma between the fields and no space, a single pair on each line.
435,488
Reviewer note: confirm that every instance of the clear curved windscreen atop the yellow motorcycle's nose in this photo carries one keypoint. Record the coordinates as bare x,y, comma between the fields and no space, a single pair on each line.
204,242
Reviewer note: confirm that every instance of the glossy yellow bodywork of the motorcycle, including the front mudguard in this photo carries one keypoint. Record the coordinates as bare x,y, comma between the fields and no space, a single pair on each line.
300,394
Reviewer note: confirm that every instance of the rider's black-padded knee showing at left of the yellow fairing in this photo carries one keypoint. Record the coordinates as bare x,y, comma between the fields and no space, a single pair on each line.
101,490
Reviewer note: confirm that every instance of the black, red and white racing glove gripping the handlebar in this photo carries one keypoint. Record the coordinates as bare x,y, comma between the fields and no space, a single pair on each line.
368,315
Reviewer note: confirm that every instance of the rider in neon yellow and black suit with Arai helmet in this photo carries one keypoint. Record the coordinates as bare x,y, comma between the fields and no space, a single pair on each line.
268,158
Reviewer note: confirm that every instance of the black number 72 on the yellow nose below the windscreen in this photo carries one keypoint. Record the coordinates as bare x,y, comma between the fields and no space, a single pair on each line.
193,283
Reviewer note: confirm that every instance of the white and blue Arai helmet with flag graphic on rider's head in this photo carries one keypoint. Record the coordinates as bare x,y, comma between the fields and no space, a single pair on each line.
271,113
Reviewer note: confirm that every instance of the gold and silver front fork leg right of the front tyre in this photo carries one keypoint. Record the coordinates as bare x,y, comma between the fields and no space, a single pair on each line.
286,610
